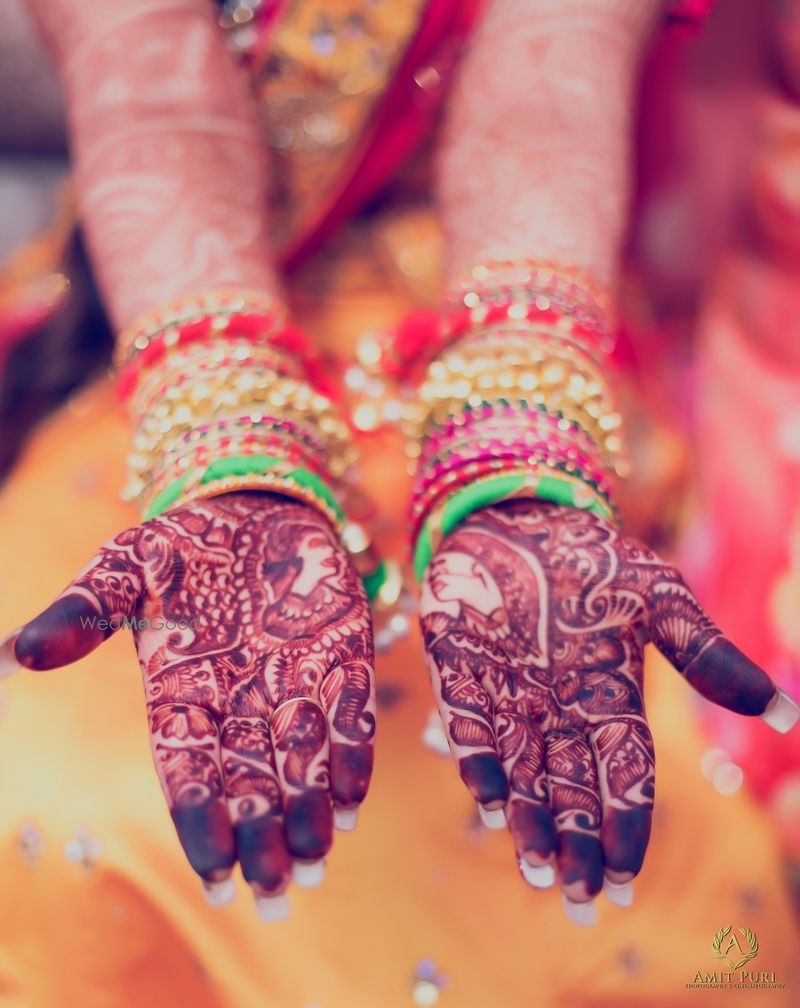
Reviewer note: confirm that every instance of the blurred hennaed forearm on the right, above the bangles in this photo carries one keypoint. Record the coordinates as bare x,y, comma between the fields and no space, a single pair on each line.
536,158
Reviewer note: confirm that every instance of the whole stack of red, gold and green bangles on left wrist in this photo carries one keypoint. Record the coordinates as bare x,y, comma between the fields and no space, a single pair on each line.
224,396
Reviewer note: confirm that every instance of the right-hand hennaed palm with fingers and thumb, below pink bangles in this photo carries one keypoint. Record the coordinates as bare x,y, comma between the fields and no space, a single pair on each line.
535,620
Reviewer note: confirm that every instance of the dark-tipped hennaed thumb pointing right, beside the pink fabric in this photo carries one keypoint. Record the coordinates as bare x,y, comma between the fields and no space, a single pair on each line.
685,634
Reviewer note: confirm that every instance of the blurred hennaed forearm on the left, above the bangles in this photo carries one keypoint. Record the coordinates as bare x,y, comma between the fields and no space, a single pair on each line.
171,165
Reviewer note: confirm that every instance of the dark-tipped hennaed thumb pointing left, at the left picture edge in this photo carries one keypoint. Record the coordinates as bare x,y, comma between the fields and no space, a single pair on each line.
89,611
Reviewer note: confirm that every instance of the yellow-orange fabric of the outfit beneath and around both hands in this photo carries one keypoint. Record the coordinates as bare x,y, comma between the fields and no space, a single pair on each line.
418,880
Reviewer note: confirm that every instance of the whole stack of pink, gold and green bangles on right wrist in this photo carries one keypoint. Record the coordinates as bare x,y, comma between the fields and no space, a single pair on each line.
515,403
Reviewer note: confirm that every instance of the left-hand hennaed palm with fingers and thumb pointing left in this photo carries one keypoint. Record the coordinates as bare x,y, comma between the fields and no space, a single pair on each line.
255,643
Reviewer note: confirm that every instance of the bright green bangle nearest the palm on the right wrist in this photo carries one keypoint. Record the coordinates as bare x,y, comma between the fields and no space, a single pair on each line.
561,489
